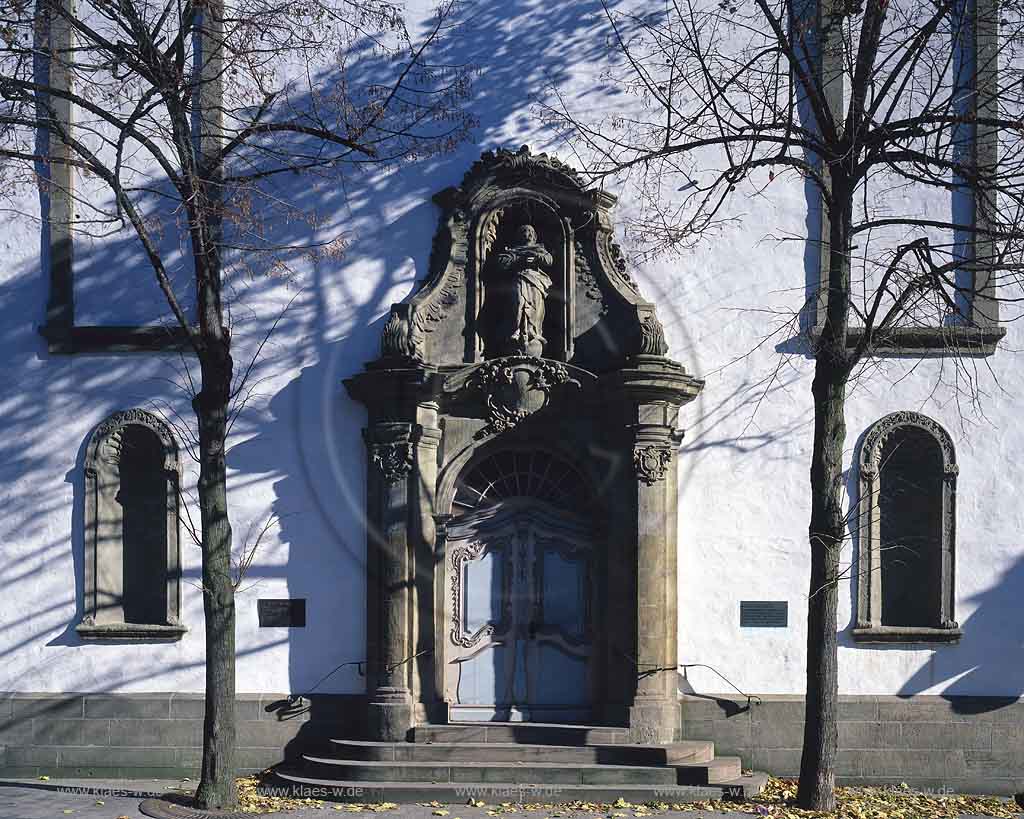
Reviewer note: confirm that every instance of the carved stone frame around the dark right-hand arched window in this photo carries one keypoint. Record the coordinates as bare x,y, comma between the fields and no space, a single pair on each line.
869,619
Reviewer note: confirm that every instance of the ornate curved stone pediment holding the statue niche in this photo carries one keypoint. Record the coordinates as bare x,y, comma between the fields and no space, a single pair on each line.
525,263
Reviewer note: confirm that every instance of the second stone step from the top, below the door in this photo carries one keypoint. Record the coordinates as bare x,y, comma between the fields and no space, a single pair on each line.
687,752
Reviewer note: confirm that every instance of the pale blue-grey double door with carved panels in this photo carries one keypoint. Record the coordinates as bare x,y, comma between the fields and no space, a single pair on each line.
520,586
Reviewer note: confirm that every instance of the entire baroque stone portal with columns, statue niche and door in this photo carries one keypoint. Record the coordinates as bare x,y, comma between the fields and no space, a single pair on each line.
522,470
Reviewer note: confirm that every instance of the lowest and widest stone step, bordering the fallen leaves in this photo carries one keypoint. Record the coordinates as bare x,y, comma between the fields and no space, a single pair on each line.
496,793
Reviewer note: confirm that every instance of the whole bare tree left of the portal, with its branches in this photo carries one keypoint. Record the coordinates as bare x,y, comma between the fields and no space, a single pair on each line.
186,113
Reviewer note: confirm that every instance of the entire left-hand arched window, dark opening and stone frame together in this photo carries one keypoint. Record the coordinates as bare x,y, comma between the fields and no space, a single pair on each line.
133,573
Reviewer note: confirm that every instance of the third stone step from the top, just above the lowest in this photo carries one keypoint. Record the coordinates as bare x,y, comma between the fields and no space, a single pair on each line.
487,772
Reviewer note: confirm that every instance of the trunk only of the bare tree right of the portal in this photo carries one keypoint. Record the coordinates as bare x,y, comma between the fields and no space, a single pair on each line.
827,531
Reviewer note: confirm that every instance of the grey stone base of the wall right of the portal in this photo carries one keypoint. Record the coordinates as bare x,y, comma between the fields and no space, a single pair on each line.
964,745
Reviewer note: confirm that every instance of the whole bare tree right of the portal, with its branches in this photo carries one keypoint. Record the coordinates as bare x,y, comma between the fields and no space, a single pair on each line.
864,102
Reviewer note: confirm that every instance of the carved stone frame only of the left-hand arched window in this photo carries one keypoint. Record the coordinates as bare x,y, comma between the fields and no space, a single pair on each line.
100,460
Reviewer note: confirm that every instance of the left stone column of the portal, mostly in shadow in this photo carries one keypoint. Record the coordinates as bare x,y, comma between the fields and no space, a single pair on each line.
389,576
